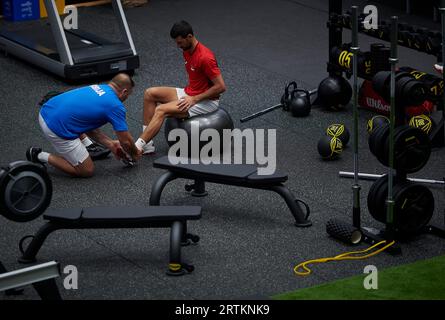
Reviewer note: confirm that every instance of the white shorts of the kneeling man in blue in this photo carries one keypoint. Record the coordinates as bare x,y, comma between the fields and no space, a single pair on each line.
72,151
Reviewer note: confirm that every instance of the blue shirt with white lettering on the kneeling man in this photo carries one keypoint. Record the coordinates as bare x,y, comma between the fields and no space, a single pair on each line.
85,109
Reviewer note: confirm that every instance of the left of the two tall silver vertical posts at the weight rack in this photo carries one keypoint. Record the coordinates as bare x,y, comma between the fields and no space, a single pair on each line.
355,49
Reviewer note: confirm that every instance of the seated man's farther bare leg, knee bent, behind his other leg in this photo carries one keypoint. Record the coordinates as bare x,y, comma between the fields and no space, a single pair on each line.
155,95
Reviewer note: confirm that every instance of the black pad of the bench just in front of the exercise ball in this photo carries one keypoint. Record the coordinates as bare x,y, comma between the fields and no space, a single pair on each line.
242,173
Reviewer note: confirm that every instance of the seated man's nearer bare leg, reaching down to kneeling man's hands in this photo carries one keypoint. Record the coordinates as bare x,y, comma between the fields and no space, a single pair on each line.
161,112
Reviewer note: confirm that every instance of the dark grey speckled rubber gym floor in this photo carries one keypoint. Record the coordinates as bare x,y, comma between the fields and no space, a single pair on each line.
249,244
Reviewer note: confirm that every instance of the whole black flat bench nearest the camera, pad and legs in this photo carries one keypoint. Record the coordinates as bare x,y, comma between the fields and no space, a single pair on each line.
173,217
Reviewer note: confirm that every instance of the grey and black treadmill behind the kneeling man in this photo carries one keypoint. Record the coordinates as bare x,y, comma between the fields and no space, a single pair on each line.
73,54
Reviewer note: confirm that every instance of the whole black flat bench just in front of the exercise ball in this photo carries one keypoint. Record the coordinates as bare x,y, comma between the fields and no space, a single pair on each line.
241,175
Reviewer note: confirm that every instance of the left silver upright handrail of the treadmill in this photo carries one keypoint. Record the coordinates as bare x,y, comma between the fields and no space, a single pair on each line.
58,33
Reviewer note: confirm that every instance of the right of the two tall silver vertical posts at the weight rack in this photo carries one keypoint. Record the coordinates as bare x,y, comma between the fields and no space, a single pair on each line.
393,61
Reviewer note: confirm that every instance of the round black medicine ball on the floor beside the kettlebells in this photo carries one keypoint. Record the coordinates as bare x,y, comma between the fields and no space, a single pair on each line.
334,92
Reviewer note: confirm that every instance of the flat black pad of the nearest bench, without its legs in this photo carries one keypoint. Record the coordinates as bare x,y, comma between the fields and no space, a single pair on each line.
125,214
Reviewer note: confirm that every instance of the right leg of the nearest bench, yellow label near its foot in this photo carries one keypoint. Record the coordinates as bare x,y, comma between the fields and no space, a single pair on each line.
176,267
